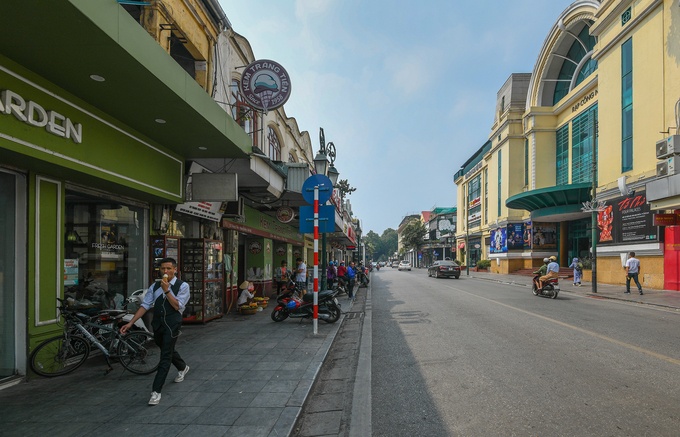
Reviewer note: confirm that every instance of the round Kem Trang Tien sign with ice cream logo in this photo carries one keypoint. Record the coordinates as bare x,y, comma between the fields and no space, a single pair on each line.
265,85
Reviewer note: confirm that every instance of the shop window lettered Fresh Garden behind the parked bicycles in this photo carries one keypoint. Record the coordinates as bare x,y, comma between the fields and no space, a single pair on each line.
104,250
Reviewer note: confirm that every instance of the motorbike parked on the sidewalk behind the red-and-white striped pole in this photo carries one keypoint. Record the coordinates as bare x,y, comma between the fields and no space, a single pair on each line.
290,305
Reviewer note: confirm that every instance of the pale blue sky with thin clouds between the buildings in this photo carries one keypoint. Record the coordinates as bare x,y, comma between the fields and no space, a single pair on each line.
405,90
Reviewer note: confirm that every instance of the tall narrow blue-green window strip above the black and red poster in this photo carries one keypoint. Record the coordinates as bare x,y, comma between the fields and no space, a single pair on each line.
627,106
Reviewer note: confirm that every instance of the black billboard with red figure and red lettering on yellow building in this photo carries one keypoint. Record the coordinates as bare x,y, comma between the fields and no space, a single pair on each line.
626,220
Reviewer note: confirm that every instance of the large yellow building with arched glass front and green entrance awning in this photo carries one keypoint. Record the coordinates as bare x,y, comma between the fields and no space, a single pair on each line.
603,92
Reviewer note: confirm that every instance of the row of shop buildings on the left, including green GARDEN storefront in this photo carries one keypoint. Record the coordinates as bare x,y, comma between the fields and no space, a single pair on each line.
122,141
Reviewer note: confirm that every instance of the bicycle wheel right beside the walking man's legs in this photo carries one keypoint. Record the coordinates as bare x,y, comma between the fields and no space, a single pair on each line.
138,353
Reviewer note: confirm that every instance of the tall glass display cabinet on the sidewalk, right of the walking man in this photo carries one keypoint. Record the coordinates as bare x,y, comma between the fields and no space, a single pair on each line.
203,268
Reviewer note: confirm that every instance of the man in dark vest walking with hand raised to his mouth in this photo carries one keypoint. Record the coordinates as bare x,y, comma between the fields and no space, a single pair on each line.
168,298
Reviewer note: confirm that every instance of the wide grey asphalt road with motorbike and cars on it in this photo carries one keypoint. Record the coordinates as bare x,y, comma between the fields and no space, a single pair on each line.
474,358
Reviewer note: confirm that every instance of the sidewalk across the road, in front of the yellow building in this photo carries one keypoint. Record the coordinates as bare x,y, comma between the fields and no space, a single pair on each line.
662,298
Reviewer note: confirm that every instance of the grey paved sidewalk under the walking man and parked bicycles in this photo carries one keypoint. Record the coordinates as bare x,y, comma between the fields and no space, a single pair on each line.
249,376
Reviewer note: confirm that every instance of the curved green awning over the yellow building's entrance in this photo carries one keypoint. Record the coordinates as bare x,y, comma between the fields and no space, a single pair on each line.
560,197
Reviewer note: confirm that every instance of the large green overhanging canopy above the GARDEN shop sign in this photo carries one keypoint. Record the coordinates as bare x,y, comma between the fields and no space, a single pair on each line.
67,41
